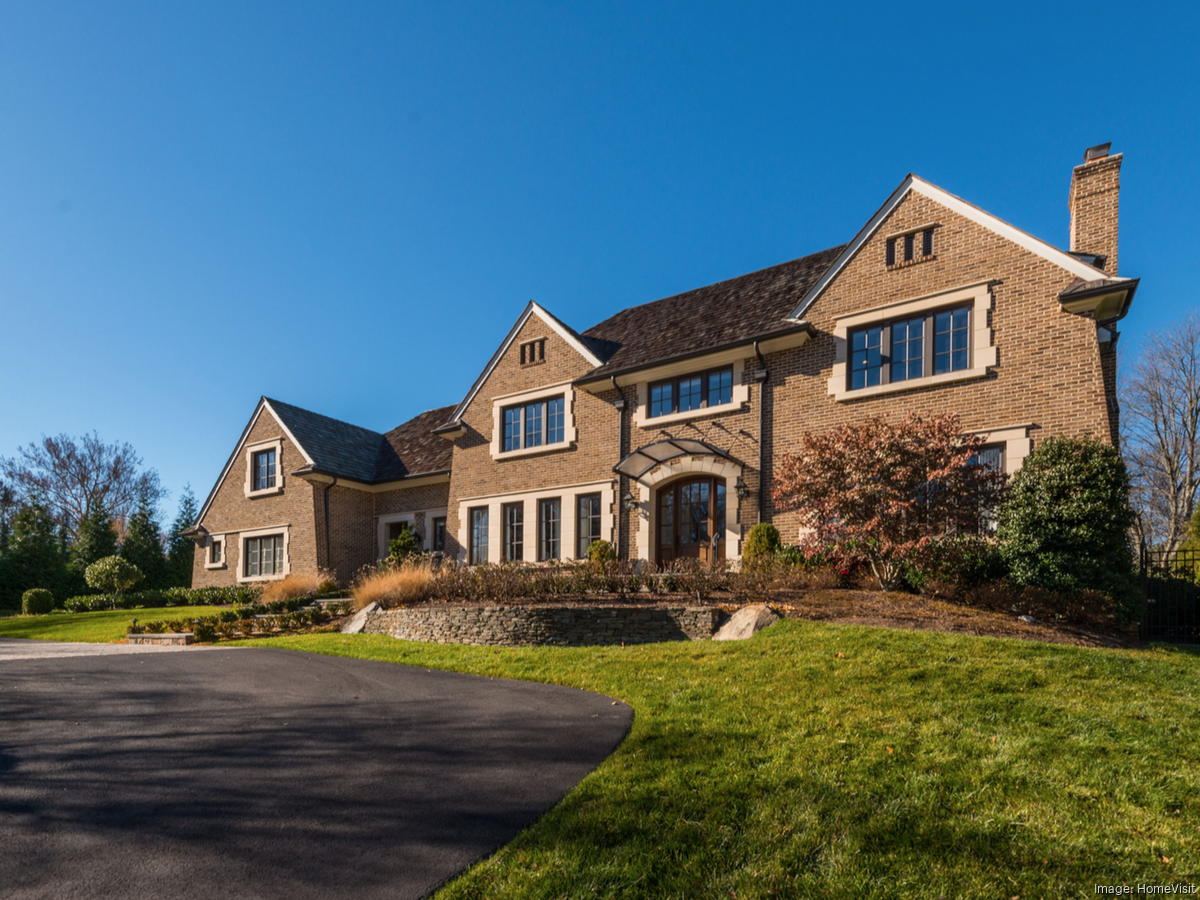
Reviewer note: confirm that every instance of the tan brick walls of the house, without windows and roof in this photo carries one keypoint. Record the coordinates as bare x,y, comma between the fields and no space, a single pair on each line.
1036,371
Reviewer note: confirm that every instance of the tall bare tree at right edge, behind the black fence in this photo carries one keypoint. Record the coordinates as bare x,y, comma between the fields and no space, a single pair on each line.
1161,433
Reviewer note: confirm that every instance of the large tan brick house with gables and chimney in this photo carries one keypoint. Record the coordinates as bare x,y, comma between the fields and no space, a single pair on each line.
657,429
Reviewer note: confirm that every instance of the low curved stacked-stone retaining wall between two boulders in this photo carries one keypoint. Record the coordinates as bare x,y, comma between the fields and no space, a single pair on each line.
562,626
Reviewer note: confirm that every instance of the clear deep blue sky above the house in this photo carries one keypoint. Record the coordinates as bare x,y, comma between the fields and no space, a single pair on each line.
346,206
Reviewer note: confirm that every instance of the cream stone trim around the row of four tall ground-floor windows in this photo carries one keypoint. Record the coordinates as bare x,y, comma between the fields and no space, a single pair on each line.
568,524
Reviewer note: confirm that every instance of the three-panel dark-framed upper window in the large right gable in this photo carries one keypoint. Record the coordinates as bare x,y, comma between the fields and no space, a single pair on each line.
910,349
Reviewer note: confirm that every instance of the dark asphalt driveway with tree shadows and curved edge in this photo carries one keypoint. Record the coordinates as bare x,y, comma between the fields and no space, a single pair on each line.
263,773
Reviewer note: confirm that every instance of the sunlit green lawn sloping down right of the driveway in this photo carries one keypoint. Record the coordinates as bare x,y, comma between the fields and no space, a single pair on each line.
914,765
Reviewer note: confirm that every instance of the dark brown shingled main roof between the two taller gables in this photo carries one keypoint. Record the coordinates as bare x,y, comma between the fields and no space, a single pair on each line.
723,315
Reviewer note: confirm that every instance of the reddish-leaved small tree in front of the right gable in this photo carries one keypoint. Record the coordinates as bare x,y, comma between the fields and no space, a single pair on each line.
881,494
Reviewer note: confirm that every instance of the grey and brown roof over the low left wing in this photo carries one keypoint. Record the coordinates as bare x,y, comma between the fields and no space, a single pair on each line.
363,455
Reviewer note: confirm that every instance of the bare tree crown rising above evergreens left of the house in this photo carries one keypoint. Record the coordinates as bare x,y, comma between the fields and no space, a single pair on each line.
74,478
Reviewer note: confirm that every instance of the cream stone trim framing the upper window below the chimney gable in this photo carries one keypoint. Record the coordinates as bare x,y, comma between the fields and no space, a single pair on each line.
983,349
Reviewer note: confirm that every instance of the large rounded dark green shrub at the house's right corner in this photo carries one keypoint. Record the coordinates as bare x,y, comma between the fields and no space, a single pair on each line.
1066,523
